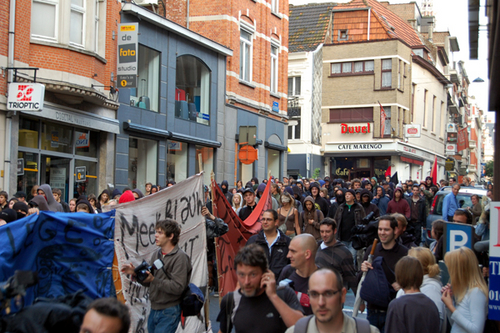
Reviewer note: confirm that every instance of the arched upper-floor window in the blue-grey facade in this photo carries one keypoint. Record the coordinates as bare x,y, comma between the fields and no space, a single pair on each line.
192,90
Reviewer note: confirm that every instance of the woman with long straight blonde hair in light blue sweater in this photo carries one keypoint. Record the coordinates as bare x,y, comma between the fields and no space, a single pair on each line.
467,297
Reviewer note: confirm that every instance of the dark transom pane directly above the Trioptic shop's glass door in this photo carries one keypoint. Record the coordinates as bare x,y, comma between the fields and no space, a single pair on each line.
56,137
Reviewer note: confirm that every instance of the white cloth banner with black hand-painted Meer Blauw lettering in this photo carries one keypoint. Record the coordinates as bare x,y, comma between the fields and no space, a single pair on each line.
135,242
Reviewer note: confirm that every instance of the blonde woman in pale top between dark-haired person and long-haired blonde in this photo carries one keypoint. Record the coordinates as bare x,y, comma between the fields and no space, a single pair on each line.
431,284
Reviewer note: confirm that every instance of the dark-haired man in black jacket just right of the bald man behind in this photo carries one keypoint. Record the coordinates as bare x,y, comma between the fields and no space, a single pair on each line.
335,255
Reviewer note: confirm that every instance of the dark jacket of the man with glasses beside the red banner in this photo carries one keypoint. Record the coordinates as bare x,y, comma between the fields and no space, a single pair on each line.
277,260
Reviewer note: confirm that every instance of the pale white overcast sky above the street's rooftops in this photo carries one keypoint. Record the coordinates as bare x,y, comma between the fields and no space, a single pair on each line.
452,16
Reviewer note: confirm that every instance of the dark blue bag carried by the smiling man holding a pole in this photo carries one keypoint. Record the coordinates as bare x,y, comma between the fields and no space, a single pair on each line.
375,288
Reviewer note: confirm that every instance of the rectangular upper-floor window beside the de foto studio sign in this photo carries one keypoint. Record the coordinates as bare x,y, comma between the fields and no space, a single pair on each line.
147,94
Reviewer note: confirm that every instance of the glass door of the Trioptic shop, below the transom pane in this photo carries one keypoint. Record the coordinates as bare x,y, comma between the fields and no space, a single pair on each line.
55,171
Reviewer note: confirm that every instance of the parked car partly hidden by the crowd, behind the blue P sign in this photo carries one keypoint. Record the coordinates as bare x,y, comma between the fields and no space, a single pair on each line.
436,212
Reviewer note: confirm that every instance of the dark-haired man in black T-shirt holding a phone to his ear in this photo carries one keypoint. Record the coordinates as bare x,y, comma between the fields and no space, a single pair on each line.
257,306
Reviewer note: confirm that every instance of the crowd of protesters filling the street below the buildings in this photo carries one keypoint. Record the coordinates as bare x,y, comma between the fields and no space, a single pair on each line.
305,257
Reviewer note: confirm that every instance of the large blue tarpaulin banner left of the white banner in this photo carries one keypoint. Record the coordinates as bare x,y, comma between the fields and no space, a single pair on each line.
70,252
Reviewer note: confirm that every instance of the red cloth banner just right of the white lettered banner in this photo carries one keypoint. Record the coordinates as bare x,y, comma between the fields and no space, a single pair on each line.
239,232
